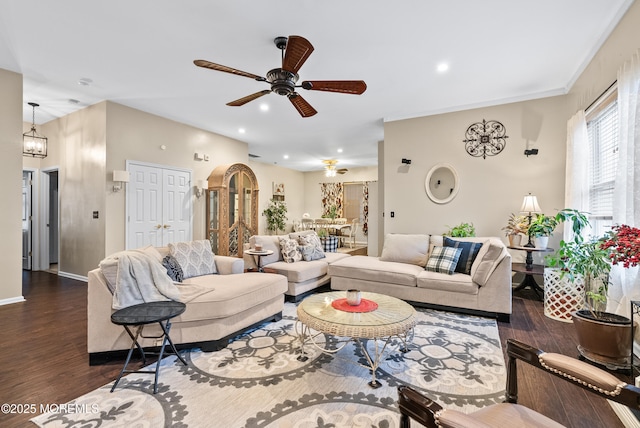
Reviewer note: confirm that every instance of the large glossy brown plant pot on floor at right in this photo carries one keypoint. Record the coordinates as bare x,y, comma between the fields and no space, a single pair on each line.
604,340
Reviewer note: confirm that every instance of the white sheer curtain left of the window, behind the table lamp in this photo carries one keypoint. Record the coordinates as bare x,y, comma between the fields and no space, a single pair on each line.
576,193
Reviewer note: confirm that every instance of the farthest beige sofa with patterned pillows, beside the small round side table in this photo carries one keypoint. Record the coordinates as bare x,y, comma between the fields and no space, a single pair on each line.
302,276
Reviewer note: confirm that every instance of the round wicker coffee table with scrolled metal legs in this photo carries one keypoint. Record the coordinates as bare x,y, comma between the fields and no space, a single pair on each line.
391,318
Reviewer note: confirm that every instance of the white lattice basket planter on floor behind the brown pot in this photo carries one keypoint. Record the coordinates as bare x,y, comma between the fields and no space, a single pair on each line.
562,297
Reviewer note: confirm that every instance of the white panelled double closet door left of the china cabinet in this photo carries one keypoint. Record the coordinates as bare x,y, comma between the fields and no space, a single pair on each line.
159,206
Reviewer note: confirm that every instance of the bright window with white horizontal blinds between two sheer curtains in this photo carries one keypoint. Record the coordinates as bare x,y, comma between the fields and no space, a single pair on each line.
602,128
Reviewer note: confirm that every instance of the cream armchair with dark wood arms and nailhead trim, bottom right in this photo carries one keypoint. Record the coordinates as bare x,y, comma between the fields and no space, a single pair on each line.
414,405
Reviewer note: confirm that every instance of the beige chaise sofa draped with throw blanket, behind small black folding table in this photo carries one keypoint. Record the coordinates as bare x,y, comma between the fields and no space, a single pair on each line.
233,301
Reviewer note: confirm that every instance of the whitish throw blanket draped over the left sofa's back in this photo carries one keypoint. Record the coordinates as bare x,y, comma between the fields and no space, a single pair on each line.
140,279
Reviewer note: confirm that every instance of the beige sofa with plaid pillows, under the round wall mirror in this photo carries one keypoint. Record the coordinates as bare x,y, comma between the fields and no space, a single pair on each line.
400,272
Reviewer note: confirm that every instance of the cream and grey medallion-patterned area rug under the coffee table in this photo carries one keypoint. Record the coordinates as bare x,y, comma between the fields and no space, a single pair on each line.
257,381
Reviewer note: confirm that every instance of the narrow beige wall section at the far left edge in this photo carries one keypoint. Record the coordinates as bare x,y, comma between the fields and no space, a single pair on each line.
11,193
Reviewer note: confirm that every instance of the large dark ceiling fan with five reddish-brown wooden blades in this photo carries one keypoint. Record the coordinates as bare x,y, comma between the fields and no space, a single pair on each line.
295,51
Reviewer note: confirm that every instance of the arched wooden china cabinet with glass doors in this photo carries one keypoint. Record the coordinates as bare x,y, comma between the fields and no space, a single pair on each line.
232,208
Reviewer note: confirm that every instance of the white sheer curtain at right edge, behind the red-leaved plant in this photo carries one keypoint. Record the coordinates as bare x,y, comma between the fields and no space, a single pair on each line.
625,283
